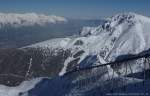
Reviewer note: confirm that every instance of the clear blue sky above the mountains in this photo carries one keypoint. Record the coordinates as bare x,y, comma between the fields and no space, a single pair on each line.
77,8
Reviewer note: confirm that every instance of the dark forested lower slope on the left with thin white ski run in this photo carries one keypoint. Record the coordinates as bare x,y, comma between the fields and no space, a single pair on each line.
17,65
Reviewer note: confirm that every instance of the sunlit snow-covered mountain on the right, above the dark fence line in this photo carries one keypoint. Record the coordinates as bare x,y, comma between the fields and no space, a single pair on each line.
122,34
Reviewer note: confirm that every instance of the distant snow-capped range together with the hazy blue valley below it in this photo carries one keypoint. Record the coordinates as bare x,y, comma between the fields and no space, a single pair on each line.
18,30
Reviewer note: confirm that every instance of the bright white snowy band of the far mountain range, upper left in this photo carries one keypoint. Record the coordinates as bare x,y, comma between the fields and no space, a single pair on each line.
28,19
